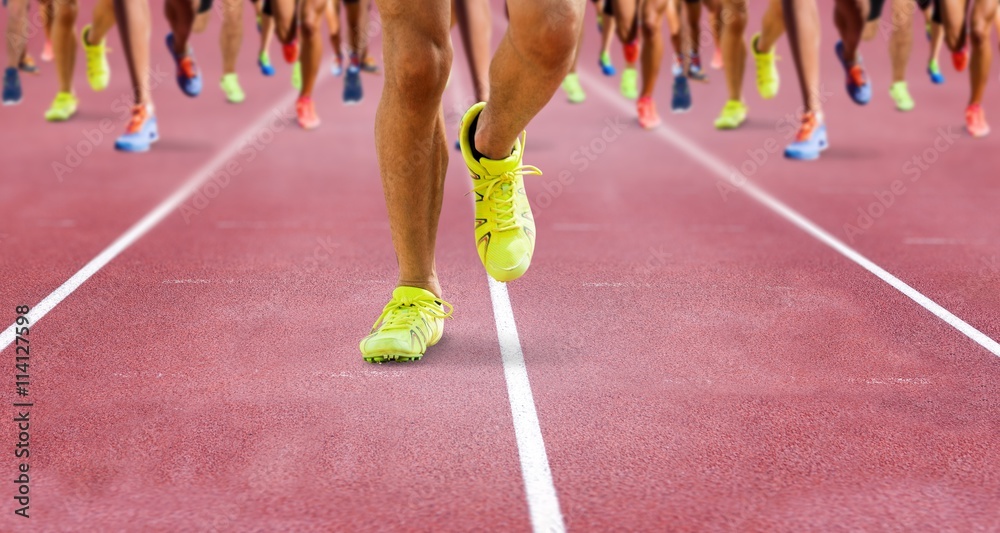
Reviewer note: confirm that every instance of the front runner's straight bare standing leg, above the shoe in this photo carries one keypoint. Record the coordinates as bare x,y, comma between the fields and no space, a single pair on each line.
409,132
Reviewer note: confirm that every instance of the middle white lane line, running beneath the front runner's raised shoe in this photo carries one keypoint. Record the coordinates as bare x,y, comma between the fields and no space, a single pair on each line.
543,502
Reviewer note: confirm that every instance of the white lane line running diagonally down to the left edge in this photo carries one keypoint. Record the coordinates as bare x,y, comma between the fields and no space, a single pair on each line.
149,221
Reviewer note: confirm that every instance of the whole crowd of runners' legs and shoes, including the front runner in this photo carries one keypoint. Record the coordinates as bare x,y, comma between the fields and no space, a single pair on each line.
537,54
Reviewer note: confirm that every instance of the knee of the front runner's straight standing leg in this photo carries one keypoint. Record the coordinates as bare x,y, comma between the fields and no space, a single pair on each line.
419,72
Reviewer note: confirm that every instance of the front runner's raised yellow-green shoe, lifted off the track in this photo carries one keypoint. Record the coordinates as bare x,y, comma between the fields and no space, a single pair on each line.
505,229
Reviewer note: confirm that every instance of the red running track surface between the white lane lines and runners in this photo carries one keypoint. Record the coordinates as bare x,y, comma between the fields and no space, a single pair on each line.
697,362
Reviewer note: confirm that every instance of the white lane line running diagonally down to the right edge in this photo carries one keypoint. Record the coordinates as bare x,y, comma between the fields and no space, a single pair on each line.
720,169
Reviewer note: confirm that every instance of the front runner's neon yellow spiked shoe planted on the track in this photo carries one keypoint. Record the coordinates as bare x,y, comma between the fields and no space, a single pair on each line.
412,321
